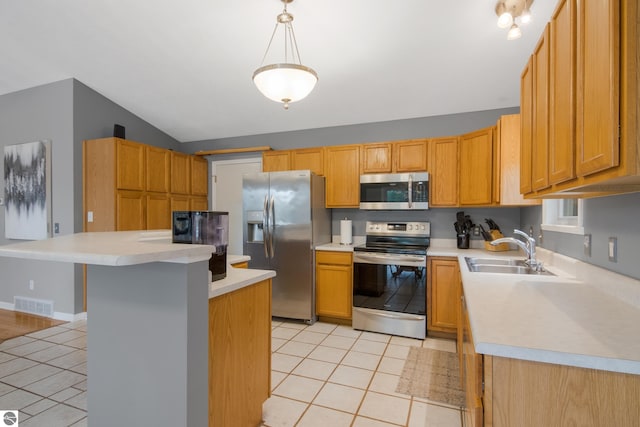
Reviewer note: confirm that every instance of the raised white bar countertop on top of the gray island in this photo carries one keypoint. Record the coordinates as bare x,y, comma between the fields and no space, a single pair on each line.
109,248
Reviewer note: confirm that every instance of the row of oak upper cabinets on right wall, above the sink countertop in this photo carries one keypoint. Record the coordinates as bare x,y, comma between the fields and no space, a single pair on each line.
593,142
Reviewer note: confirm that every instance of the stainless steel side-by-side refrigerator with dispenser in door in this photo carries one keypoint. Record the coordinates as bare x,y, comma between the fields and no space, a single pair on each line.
284,218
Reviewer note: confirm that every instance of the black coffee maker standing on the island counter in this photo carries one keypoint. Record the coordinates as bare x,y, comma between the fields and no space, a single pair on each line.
205,228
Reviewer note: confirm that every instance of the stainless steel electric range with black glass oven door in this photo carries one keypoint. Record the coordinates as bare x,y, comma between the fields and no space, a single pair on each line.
389,279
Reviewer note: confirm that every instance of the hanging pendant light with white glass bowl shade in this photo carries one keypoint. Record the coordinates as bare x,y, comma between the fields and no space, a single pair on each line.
287,81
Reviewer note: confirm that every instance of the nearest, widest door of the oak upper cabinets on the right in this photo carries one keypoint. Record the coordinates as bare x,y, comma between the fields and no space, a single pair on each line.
598,86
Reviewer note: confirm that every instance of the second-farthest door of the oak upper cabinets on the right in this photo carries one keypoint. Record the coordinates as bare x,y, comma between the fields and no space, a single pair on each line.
540,146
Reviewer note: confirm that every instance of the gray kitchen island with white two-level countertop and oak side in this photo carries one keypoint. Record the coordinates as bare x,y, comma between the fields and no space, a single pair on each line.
149,324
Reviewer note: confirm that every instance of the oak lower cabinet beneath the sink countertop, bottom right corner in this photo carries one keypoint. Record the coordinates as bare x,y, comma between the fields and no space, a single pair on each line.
506,392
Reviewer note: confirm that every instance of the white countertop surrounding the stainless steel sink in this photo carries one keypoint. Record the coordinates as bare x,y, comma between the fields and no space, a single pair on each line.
584,316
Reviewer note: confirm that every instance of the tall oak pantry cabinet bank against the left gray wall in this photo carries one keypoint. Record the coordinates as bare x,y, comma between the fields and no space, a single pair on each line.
126,185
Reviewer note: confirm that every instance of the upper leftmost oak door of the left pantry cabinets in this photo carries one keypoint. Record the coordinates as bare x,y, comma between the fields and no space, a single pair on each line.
130,173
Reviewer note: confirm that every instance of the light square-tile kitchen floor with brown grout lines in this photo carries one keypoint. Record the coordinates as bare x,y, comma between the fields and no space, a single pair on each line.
322,375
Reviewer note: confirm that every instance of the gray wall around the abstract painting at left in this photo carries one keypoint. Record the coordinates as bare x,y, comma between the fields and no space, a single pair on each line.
66,112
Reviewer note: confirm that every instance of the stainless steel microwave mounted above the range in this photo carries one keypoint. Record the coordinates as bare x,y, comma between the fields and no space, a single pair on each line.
394,191
